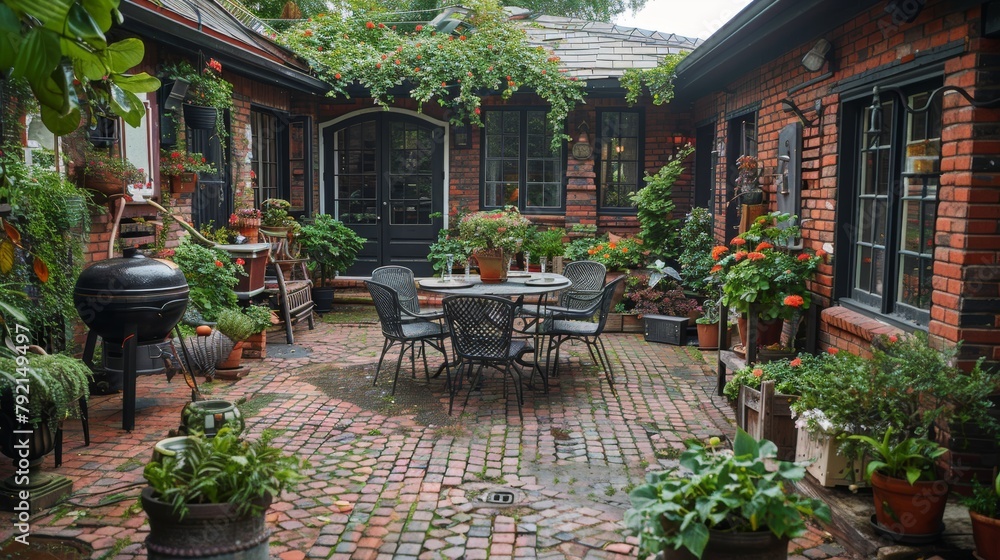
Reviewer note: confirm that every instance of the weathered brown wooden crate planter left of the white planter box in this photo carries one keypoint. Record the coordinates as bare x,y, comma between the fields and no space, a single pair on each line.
766,414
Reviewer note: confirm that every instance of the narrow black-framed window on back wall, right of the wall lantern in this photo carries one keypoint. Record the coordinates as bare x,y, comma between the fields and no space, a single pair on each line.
619,172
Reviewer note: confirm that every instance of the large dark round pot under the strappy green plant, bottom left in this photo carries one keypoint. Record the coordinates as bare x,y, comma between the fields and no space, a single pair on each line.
207,531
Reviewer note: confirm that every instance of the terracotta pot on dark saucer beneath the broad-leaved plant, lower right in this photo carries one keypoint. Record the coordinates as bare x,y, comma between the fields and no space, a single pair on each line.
909,510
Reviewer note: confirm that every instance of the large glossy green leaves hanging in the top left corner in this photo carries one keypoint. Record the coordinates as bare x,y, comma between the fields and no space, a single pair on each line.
60,47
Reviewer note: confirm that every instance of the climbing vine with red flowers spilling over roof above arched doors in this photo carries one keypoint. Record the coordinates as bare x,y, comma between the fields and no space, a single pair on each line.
486,53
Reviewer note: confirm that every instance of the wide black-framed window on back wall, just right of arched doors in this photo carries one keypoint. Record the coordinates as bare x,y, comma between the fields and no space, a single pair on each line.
519,166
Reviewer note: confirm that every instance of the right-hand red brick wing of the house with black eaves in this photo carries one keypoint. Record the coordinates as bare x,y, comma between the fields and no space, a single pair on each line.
905,199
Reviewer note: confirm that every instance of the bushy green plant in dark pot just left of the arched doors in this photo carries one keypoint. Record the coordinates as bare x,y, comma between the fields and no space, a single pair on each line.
331,247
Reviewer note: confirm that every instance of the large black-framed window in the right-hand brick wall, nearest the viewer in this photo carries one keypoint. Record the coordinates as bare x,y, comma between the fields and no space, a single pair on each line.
896,182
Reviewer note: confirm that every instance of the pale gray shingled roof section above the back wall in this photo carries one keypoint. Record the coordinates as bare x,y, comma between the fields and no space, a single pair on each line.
594,50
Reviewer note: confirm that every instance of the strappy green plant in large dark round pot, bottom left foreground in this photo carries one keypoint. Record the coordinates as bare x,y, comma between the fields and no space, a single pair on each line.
211,495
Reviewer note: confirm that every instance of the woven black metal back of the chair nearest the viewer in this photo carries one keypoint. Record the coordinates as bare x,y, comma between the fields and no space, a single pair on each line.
481,326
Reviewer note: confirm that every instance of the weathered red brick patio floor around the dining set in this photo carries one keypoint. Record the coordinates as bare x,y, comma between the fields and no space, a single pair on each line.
414,477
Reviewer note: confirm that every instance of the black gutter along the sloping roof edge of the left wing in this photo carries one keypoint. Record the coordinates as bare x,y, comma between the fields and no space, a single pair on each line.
190,39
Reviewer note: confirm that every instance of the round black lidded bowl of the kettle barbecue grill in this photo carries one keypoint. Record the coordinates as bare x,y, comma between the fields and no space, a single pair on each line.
150,294
